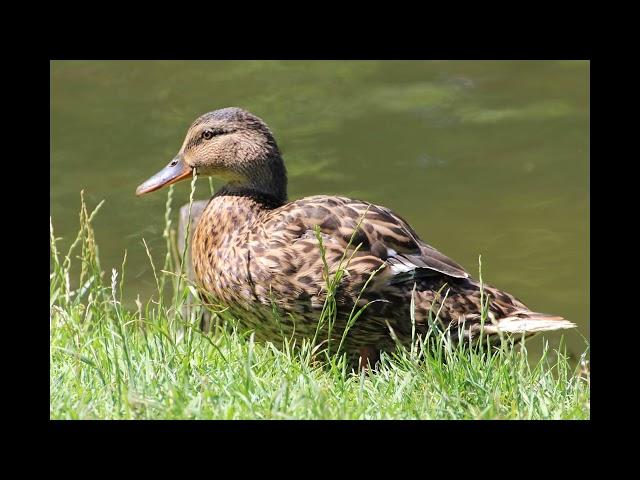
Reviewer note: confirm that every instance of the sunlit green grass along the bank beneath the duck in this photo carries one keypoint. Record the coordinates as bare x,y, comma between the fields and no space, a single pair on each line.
153,362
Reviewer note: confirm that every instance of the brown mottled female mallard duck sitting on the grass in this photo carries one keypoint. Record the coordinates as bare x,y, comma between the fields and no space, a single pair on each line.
252,250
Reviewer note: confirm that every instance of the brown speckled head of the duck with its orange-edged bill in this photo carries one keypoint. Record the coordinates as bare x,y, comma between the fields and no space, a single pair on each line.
230,144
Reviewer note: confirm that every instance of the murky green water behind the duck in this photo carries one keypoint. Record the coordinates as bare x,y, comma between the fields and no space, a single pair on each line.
481,157
